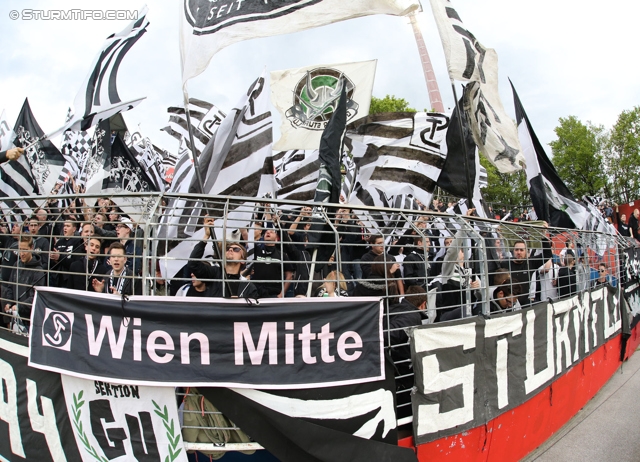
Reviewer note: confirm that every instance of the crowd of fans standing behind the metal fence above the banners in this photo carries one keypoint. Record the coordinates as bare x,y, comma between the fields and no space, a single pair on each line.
98,249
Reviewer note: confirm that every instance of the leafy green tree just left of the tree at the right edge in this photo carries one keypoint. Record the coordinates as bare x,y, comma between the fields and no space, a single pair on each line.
578,156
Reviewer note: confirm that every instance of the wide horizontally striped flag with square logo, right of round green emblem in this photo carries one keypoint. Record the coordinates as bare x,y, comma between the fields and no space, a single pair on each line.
404,152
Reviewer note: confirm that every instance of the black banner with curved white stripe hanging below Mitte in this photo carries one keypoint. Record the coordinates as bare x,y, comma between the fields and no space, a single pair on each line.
353,423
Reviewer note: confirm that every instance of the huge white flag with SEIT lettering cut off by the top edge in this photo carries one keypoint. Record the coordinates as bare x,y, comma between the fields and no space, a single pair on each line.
207,27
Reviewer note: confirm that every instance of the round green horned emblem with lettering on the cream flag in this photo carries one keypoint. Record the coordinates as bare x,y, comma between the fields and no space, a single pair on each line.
316,97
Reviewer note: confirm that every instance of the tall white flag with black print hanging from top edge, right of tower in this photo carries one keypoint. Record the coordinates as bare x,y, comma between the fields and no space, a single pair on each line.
469,61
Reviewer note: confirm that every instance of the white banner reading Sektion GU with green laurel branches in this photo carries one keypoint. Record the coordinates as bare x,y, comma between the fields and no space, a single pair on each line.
124,422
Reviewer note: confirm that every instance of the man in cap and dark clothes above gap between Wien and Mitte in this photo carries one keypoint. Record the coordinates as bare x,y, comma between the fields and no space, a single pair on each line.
234,284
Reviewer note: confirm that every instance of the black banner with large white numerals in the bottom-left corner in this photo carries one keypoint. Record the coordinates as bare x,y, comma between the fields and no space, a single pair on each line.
34,424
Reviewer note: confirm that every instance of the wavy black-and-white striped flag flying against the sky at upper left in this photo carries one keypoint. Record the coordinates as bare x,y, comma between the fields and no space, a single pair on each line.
98,98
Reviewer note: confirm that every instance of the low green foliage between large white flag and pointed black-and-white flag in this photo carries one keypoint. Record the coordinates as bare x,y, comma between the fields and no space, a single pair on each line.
505,189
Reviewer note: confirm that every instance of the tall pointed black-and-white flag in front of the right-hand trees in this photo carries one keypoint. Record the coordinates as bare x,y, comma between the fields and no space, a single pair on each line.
551,199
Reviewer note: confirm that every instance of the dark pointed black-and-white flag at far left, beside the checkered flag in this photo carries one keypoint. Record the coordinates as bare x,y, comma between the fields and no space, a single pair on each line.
44,159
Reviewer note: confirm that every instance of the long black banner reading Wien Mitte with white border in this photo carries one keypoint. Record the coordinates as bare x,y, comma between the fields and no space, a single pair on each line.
276,344
